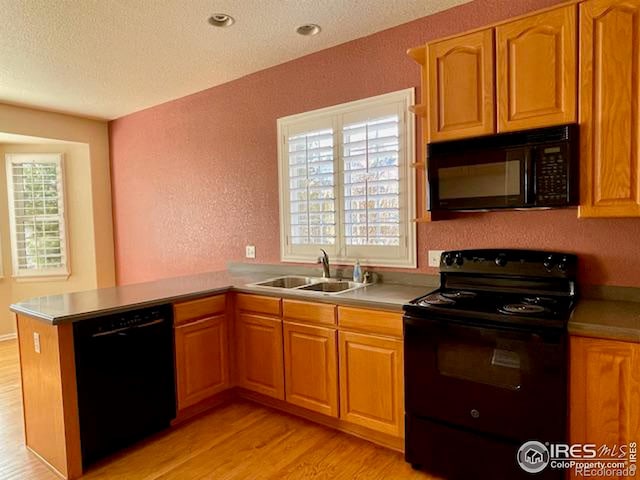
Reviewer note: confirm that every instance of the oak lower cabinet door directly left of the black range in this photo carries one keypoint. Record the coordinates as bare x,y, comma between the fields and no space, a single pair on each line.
371,382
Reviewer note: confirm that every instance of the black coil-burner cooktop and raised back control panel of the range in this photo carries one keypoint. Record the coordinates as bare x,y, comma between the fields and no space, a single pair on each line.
516,287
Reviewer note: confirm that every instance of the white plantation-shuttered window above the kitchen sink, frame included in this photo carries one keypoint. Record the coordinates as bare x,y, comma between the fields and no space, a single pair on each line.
346,182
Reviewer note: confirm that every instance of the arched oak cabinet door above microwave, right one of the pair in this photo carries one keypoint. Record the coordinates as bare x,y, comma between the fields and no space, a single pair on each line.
537,70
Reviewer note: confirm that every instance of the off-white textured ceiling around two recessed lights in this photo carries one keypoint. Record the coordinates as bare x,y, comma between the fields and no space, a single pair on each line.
108,58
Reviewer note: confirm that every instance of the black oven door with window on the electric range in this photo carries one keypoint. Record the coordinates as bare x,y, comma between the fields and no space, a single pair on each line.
502,381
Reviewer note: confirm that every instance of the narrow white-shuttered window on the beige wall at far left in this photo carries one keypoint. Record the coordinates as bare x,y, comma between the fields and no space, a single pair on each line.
36,211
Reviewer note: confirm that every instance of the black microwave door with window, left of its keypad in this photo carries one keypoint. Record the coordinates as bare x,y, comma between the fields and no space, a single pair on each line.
480,179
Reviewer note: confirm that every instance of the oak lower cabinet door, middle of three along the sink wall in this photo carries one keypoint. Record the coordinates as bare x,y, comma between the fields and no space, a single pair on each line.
311,367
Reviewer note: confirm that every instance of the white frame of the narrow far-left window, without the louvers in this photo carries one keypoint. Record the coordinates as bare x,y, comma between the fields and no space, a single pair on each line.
45,274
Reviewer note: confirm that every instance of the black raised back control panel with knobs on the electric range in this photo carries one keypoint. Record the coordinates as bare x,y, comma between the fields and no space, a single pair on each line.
510,262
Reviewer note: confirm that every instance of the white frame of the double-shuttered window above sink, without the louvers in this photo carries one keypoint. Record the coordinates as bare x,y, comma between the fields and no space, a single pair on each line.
333,117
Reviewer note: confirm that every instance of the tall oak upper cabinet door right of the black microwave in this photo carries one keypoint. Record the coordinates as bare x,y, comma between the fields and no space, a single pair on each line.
609,108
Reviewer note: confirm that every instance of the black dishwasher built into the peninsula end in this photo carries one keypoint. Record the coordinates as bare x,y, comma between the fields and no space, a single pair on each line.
125,377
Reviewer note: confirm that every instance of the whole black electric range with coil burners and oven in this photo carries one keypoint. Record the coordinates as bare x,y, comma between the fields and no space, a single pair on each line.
486,362
